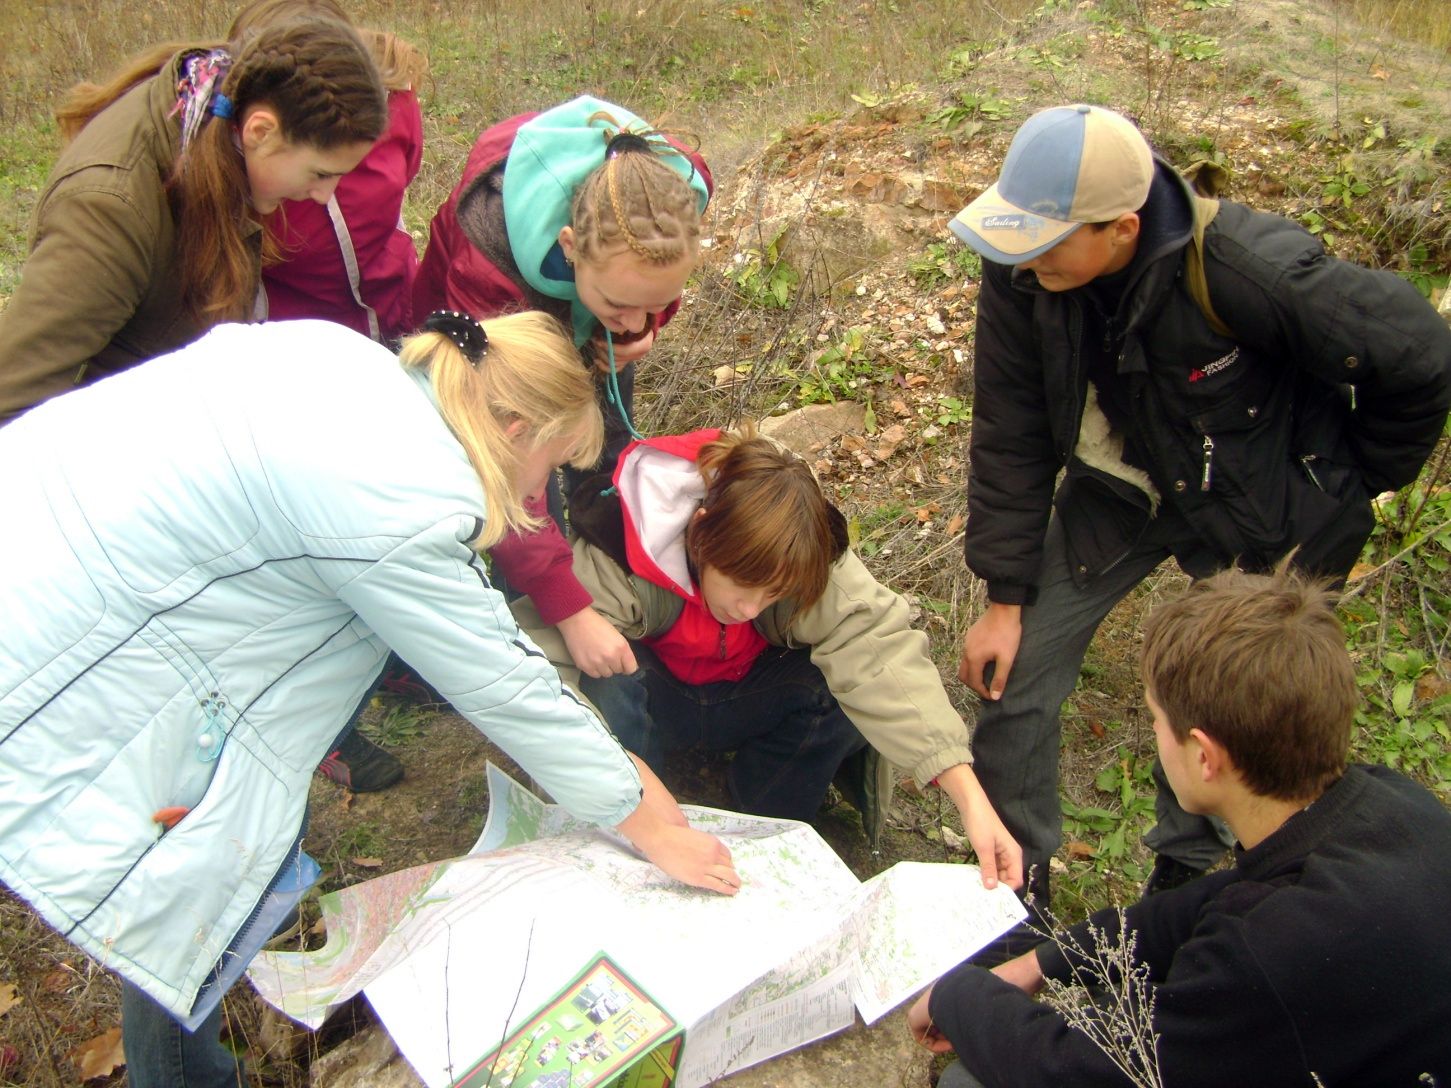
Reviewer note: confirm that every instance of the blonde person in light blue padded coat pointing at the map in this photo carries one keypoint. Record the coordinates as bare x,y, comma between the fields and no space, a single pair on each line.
210,559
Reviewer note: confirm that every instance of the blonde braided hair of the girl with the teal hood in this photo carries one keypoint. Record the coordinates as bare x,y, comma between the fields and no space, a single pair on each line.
636,201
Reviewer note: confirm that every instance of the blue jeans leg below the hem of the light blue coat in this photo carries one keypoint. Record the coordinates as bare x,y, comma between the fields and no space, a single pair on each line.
162,1054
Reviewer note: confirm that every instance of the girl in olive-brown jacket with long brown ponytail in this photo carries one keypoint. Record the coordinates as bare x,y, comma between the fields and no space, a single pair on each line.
149,230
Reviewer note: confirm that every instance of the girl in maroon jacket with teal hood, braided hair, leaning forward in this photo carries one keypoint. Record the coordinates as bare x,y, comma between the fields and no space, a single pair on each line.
590,215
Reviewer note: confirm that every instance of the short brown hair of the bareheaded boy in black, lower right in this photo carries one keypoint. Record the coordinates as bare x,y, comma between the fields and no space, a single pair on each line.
1257,662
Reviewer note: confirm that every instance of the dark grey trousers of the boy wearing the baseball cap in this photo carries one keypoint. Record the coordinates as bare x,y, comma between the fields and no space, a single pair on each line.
1018,738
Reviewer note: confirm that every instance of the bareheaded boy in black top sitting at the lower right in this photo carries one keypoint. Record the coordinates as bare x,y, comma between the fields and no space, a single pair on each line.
1321,958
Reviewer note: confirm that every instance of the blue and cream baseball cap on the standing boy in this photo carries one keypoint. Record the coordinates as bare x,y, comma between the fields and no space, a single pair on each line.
1067,166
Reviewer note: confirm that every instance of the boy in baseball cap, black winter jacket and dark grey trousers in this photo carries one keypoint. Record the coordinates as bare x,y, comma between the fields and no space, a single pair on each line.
1220,443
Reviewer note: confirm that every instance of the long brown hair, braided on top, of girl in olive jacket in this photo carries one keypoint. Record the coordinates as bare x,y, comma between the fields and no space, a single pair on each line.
320,81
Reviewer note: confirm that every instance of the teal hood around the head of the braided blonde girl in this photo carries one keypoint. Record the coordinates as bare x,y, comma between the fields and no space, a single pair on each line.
551,159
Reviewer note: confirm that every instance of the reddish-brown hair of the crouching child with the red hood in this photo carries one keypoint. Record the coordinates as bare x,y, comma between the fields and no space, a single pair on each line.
765,520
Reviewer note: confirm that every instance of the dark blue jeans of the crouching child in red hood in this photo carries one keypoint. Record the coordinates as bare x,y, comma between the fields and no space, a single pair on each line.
786,728
